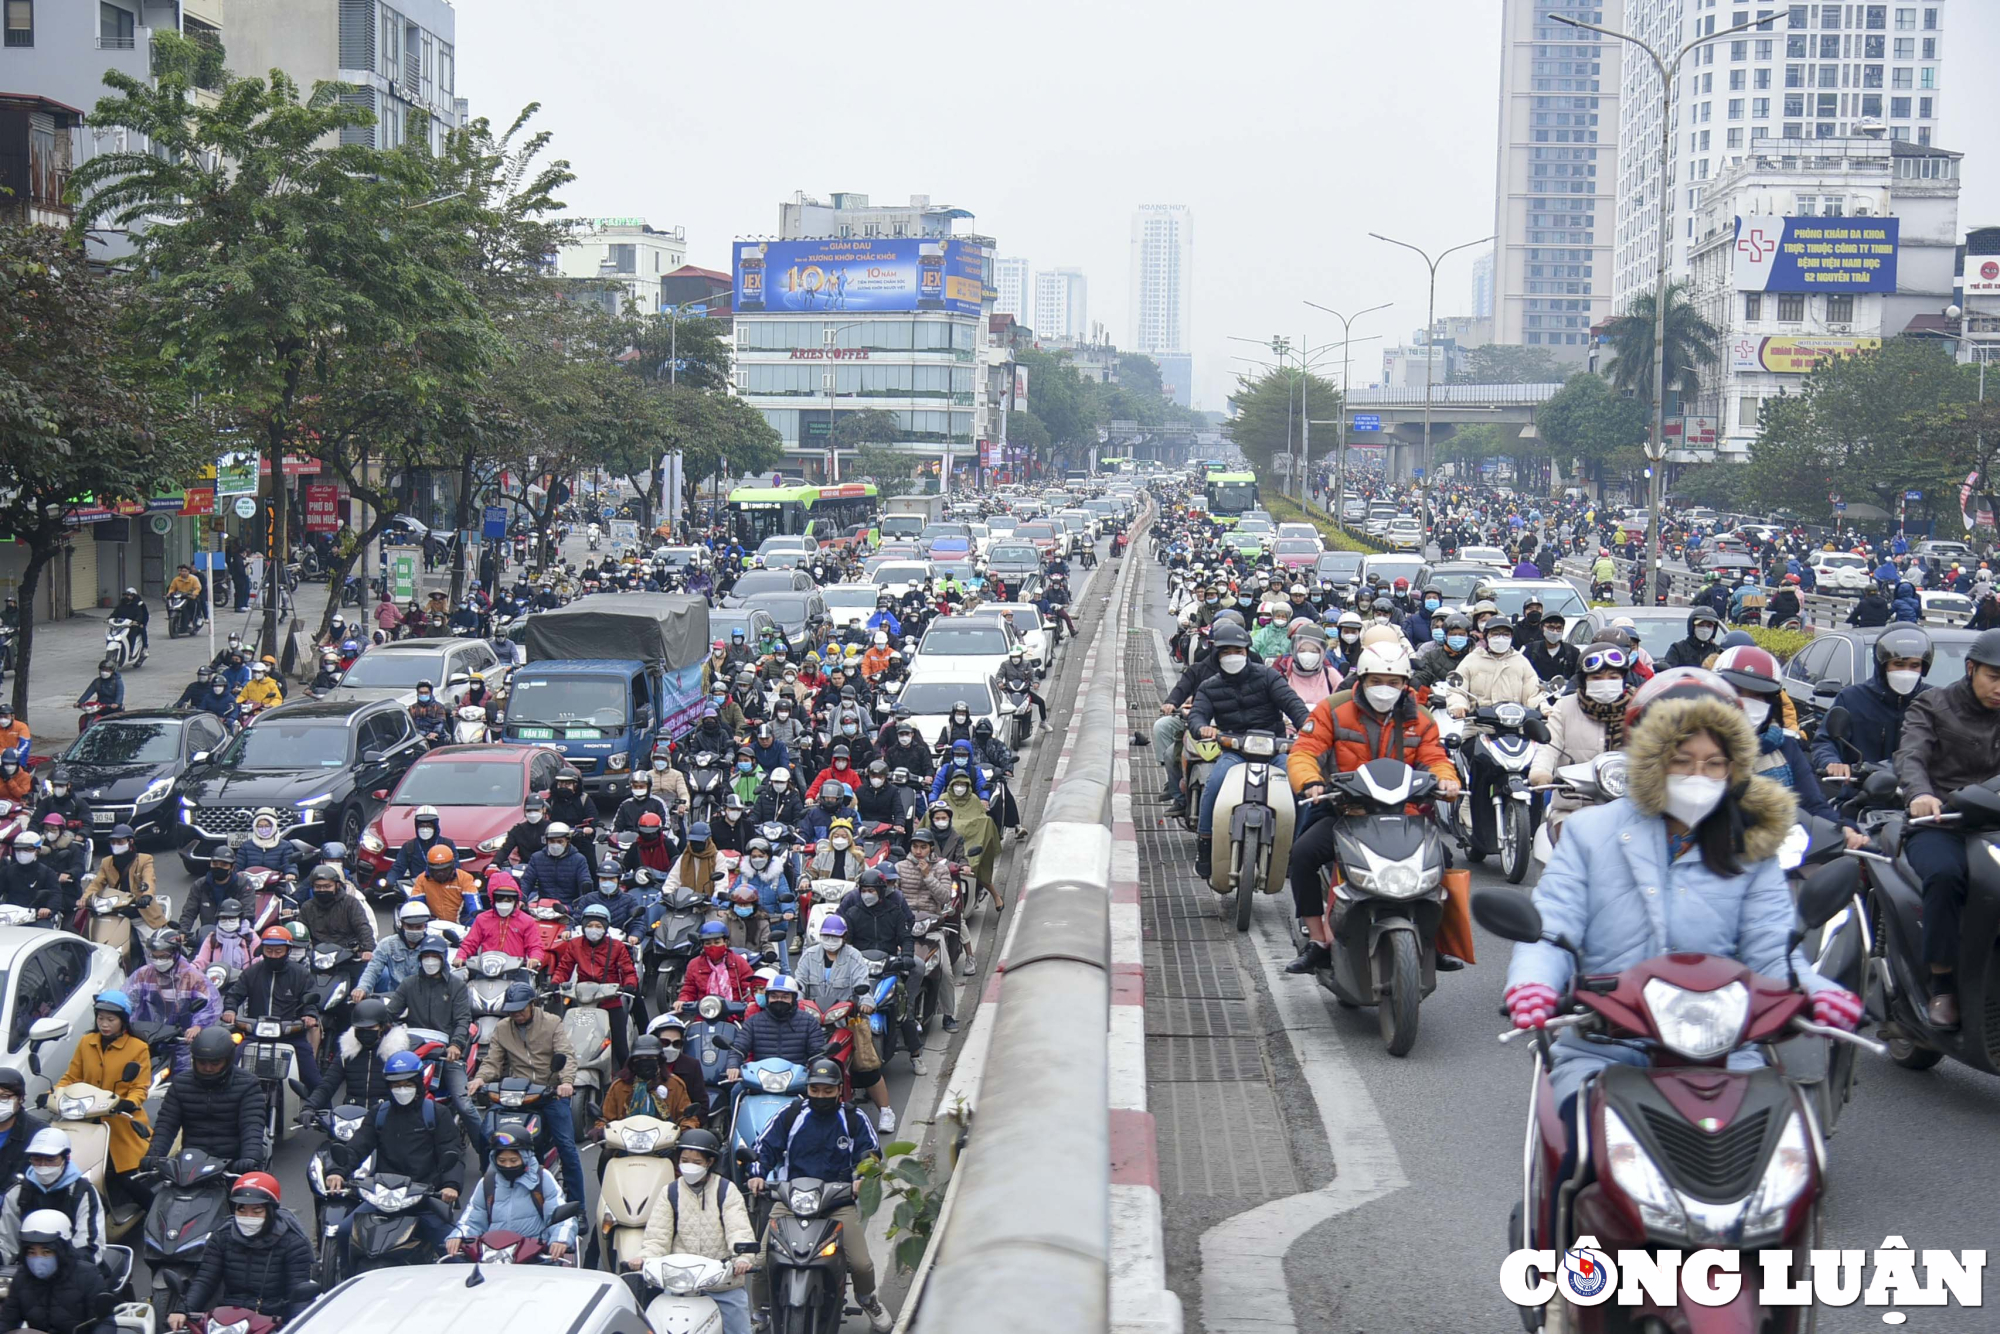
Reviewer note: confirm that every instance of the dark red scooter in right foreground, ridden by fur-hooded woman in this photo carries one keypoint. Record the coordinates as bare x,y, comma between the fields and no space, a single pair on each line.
1683,1153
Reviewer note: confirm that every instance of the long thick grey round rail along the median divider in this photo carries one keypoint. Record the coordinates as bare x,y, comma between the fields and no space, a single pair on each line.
1027,1245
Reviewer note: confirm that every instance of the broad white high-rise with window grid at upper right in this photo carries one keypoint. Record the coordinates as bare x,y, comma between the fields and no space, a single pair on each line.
1815,71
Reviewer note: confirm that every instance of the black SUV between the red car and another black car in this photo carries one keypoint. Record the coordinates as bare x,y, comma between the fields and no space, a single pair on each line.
317,763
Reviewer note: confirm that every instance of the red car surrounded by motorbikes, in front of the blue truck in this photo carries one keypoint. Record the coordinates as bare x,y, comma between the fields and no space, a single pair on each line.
479,793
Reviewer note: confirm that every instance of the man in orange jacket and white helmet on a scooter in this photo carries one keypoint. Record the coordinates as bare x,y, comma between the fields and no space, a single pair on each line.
1381,721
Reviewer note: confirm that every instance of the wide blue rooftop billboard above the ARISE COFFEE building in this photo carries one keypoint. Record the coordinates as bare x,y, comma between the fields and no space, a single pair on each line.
859,275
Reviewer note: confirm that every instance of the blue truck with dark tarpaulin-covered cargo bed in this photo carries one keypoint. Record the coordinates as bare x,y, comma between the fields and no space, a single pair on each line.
609,679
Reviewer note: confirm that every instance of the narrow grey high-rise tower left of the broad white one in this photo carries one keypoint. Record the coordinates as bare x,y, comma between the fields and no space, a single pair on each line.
1549,277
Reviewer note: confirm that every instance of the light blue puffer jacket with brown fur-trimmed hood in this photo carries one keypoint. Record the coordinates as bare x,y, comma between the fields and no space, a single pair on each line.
1615,891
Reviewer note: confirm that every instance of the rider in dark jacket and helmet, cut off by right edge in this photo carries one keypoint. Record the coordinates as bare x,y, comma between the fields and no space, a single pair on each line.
1951,739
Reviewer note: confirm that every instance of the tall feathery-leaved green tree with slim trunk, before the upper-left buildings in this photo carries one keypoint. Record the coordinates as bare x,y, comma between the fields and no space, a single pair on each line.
265,253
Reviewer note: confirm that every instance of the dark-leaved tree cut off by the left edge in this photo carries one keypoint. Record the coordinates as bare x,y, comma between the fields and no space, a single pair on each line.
83,415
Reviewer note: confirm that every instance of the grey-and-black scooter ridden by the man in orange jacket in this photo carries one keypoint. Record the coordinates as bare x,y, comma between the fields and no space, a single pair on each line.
1385,897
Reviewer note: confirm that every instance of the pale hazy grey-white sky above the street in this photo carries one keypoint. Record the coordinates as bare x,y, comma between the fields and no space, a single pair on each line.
1293,131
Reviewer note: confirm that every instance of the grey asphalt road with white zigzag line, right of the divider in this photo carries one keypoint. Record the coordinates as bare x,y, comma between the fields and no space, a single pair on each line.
1407,1167
